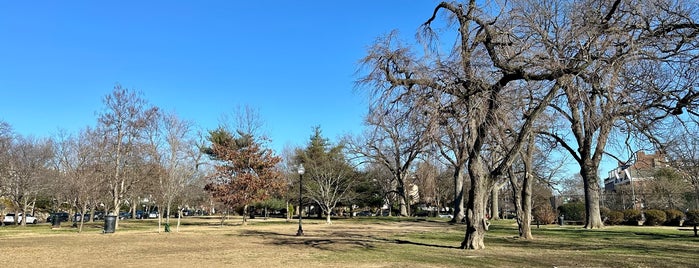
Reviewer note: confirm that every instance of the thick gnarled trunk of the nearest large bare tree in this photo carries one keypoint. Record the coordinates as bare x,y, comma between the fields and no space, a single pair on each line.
476,224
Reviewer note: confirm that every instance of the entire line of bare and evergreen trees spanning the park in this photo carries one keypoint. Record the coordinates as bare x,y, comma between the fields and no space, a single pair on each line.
499,95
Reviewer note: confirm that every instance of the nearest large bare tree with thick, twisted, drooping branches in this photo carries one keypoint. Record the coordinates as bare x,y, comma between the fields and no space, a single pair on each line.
493,55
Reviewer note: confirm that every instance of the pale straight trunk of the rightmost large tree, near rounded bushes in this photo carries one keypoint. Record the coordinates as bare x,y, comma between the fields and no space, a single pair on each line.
593,219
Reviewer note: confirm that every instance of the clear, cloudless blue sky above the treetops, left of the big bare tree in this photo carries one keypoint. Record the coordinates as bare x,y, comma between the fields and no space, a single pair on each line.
294,61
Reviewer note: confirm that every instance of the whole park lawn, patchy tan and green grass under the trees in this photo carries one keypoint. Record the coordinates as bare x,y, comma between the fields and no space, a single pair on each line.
367,242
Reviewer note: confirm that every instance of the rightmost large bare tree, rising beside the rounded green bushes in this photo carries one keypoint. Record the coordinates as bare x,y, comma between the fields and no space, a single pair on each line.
630,51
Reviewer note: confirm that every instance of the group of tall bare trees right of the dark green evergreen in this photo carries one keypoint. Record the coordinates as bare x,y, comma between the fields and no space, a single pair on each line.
496,78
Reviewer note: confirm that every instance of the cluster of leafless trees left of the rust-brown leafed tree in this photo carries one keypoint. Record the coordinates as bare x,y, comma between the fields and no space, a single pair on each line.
136,154
